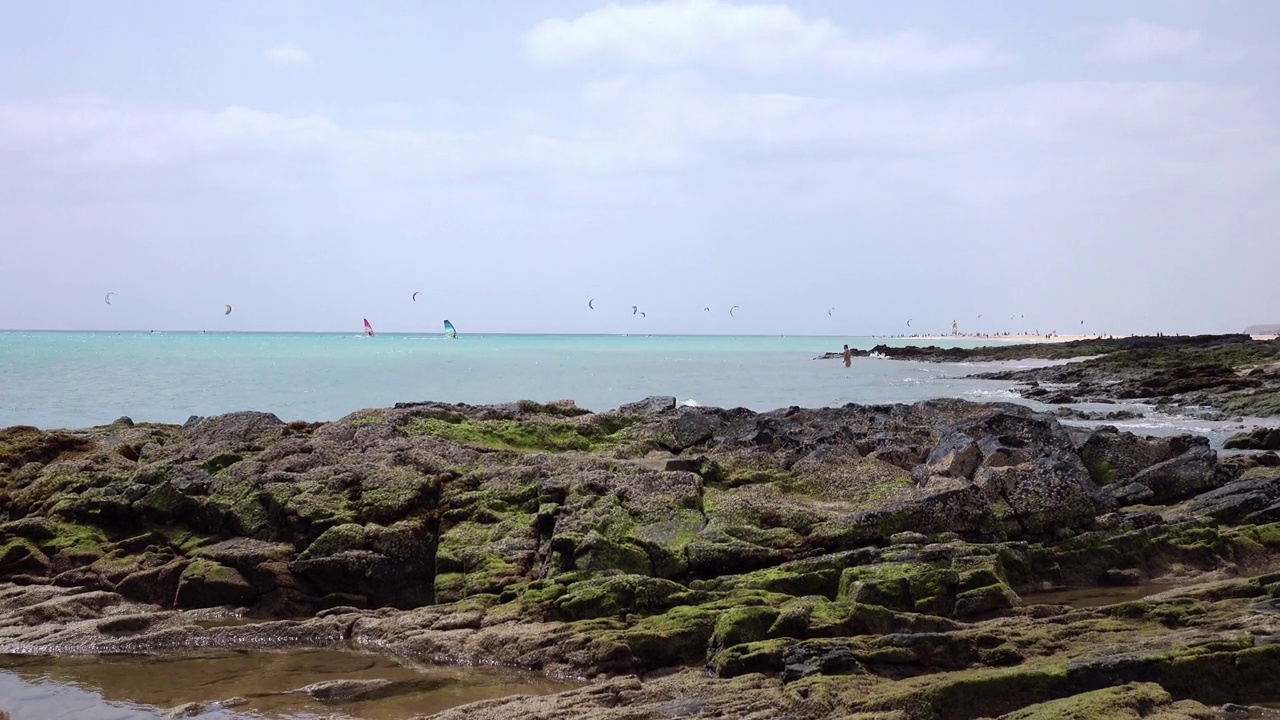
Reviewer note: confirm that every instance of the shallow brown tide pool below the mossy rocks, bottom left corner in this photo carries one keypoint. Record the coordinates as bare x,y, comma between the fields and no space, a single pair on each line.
271,685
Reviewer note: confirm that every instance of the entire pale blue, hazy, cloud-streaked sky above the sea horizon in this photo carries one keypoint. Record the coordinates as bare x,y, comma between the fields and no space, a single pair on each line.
829,167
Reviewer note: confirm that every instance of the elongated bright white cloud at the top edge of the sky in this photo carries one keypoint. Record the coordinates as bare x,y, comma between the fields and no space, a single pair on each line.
760,39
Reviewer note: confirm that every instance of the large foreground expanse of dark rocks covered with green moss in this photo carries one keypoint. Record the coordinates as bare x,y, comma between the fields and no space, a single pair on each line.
858,562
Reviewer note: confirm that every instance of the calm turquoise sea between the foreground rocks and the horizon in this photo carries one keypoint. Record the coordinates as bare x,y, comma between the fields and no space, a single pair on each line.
71,380
